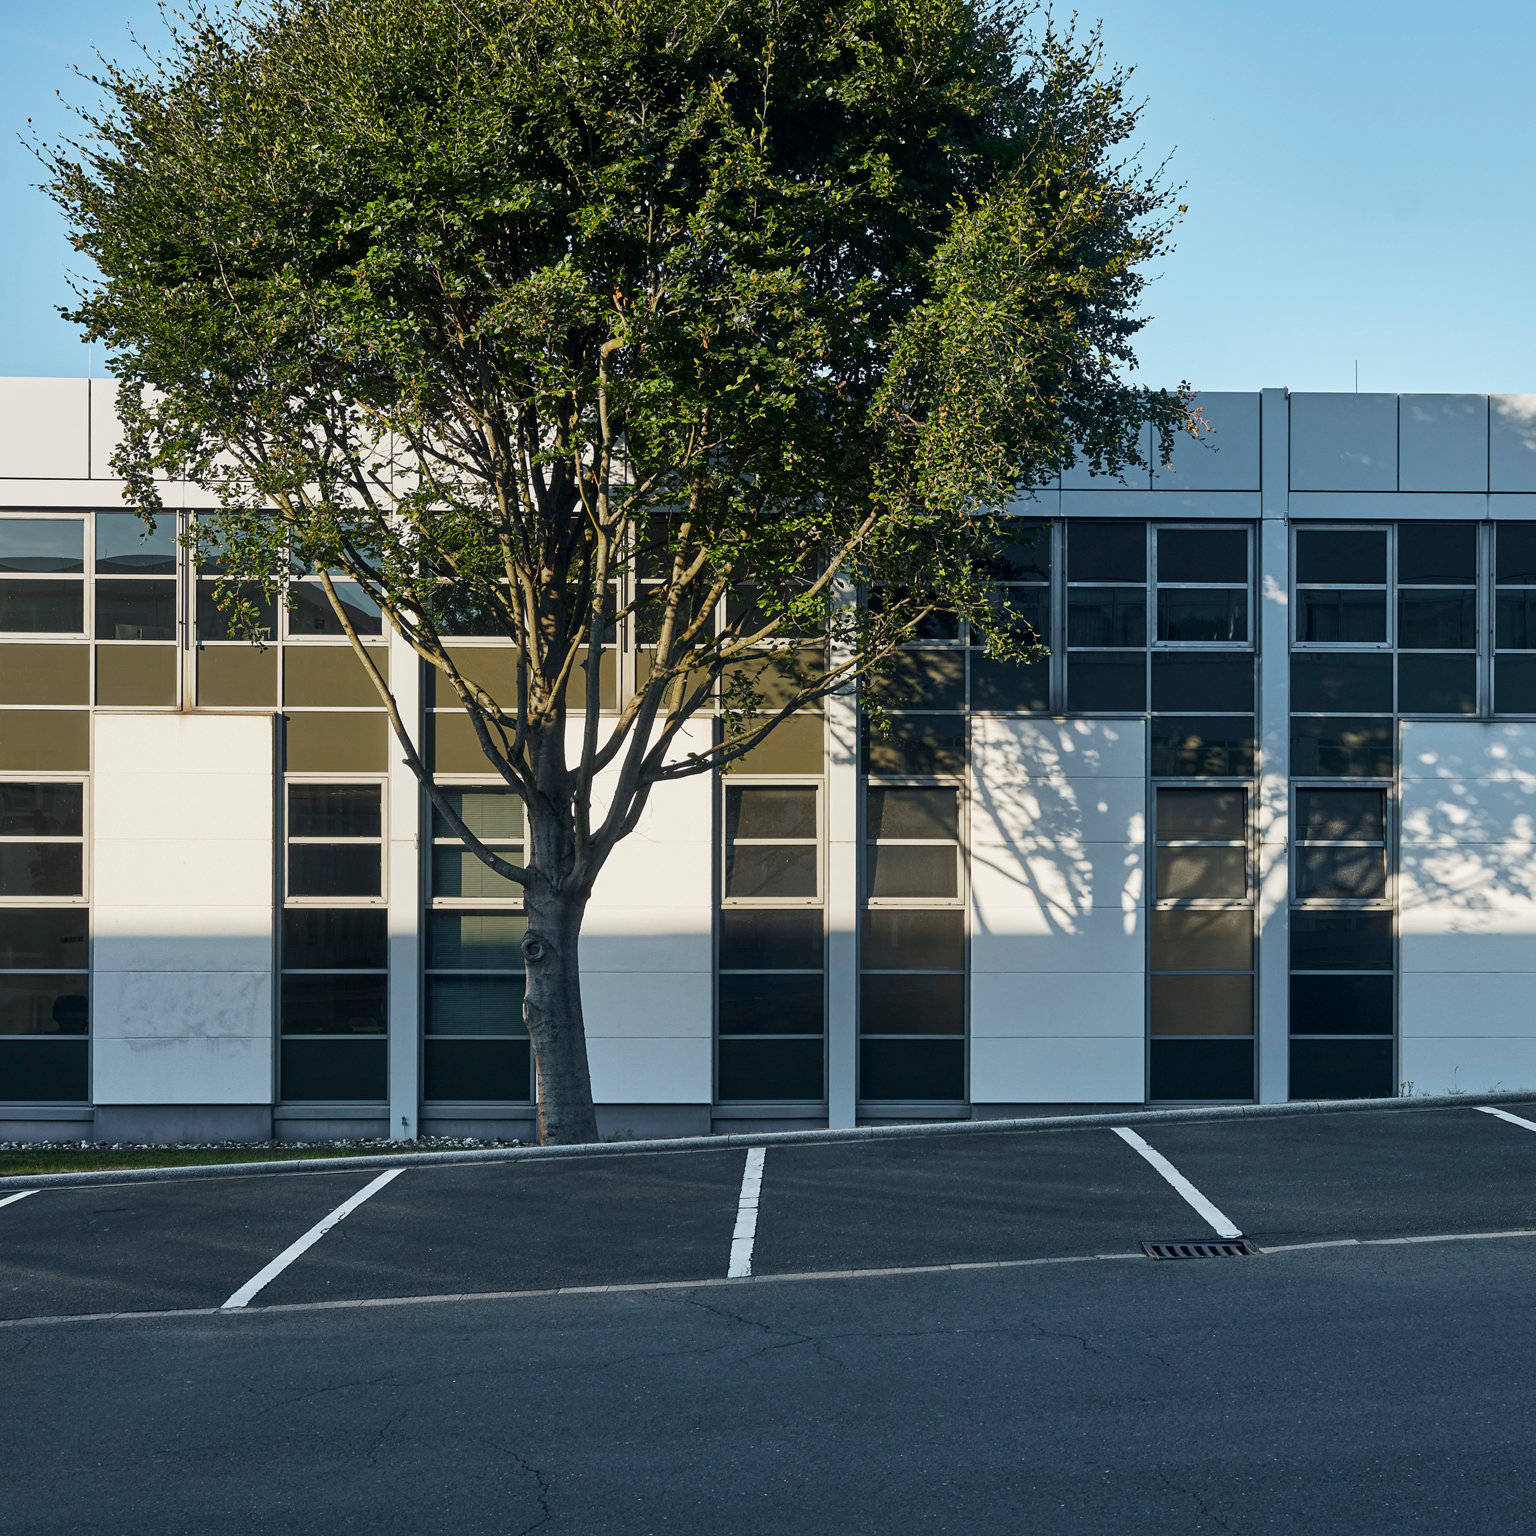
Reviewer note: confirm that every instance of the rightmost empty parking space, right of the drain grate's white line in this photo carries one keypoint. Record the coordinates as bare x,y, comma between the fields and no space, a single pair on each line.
1316,1177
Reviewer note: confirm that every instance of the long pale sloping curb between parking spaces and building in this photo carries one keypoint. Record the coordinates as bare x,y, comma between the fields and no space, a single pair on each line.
936,1128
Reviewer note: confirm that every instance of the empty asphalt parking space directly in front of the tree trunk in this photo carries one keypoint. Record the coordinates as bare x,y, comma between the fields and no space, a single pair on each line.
528,1226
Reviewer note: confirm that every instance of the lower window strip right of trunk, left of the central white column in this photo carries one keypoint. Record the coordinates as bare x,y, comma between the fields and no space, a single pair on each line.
772,978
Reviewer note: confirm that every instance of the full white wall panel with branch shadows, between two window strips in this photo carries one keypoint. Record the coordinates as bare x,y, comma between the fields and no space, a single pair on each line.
1058,887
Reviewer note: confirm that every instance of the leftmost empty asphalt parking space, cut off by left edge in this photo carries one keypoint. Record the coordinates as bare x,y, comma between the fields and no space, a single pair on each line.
141,1248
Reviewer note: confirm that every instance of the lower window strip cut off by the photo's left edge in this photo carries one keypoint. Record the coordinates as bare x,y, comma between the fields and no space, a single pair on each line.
45,984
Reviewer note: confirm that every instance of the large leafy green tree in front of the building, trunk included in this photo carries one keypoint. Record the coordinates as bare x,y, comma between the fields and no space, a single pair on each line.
733,326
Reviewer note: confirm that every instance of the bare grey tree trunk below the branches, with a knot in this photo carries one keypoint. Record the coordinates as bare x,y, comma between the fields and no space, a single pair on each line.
552,1011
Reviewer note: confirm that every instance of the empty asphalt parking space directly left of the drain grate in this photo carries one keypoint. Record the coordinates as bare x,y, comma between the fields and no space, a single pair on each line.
935,1200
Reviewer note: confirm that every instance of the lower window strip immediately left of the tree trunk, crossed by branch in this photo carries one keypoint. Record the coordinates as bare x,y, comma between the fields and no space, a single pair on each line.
475,1047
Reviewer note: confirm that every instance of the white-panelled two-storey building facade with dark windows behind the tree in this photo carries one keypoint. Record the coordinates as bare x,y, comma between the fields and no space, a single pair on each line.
1263,827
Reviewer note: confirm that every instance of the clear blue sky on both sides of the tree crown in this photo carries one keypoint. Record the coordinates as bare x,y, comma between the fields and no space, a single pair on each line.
1359,180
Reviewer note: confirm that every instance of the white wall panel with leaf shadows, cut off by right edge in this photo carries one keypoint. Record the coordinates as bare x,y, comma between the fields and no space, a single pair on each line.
1468,907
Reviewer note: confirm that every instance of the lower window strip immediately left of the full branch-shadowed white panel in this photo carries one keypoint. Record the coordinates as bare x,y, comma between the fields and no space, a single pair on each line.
912,958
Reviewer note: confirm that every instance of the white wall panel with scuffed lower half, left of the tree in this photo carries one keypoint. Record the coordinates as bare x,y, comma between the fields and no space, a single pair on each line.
182,909
